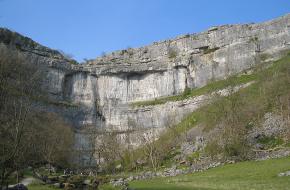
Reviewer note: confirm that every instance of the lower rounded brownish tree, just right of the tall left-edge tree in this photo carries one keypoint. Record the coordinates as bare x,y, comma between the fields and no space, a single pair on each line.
52,138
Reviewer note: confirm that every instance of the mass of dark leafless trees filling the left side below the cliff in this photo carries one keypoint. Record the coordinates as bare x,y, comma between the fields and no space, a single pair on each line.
27,135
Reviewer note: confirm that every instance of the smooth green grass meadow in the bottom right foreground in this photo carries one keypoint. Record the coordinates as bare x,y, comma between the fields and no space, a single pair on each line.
251,175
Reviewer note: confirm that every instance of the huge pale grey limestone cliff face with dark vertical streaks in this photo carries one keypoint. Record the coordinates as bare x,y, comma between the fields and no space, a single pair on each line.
99,92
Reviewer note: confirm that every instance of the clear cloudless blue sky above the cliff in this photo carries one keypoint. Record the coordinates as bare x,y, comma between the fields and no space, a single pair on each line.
86,28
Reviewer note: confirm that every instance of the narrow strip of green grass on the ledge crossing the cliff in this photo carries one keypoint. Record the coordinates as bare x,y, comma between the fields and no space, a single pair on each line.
211,87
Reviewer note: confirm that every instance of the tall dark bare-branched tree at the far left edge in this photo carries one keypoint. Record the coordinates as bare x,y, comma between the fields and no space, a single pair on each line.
19,83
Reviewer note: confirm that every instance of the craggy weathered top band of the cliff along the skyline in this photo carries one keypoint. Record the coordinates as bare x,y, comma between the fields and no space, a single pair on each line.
188,44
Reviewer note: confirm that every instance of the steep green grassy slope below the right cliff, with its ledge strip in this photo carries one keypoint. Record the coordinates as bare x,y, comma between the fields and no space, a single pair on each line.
253,102
